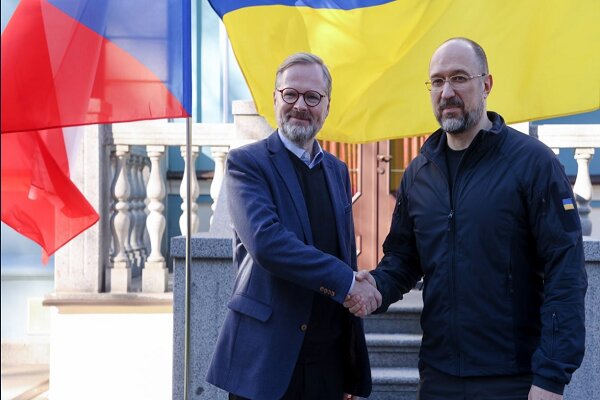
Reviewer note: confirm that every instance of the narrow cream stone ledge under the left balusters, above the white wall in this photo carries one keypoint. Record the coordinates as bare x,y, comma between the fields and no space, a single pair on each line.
108,299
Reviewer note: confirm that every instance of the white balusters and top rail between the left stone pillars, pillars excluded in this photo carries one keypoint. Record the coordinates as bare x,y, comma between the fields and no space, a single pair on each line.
139,180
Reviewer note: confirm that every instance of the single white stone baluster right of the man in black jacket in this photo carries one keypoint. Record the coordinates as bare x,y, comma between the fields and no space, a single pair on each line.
583,188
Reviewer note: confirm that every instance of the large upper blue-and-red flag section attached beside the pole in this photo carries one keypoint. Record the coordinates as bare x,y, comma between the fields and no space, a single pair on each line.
77,62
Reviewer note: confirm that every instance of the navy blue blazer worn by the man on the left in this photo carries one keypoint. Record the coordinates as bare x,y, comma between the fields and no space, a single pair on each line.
280,272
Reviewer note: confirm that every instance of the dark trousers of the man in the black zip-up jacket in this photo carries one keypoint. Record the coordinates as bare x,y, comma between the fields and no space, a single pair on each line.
436,385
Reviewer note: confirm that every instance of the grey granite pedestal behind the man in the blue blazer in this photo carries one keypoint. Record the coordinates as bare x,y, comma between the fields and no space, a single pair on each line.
211,283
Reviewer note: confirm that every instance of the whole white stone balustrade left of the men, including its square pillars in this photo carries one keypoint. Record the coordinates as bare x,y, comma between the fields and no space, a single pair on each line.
121,171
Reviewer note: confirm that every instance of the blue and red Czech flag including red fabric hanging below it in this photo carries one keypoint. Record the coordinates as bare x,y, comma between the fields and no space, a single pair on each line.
76,62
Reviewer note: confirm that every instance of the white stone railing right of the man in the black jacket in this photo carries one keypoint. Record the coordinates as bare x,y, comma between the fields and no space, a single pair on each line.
584,139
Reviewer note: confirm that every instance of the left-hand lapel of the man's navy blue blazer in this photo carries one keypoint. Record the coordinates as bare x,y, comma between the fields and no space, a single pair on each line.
285,168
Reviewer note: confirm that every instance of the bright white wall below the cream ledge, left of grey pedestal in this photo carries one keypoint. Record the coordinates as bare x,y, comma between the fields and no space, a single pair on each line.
108,352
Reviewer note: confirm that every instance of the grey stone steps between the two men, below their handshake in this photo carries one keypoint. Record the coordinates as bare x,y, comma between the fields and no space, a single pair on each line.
393,340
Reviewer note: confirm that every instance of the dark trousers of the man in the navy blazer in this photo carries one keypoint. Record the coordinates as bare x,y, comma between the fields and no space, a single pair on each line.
312,381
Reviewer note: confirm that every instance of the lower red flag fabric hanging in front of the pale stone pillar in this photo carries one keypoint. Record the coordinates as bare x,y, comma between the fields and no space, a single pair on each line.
38,198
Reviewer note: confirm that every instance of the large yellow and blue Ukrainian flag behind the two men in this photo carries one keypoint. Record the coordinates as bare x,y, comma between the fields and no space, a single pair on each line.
544,56
